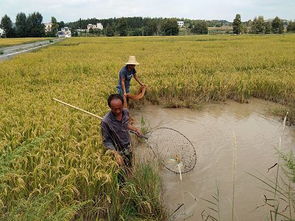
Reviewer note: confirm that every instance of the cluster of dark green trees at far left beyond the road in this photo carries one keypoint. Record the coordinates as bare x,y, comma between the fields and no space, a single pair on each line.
28,26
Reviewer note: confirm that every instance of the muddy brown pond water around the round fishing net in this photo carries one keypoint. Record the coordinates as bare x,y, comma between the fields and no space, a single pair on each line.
213,130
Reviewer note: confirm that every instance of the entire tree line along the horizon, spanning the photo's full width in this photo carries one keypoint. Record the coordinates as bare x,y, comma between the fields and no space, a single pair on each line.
32,26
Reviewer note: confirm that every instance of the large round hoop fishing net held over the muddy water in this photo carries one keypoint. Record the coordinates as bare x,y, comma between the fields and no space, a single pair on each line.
175,151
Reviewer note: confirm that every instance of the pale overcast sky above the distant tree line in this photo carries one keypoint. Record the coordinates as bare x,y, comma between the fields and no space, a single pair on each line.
72,10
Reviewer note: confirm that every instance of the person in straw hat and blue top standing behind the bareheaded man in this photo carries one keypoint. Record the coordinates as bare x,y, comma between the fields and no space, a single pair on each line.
125,76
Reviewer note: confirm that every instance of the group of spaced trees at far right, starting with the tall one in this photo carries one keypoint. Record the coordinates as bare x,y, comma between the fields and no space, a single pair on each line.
260,26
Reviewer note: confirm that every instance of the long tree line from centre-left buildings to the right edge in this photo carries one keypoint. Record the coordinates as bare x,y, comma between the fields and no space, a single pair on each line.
163,26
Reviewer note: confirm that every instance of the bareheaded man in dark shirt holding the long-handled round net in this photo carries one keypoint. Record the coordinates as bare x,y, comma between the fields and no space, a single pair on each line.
115,128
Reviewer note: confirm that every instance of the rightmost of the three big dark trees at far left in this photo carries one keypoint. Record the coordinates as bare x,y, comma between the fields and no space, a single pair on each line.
35,26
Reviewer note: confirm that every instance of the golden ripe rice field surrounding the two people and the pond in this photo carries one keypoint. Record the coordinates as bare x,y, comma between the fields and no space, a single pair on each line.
52,163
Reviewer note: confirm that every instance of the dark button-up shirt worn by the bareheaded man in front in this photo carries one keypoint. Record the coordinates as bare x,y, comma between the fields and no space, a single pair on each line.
115,133
